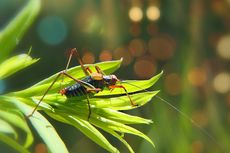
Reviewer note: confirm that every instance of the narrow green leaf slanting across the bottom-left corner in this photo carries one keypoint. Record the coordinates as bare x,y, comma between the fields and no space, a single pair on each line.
14,144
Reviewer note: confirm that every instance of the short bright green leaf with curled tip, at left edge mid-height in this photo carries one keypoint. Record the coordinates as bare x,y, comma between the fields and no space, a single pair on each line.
14,64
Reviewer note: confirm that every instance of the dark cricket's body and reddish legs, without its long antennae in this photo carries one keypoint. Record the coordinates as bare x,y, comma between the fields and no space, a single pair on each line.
93,83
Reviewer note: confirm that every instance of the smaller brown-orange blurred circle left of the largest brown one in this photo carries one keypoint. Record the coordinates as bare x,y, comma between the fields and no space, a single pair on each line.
137,47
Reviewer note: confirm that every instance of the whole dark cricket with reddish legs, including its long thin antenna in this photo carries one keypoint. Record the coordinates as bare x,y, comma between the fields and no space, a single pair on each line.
95,82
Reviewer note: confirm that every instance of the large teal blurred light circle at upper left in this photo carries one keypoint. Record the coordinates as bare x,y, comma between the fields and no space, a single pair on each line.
52,30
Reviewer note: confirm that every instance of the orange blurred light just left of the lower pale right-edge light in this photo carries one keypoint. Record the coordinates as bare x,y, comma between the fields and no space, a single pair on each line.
197,76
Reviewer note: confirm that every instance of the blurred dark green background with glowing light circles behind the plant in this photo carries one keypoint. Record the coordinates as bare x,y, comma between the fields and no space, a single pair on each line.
189,40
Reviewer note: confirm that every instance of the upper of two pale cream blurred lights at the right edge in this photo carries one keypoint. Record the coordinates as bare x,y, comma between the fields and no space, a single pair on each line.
223,47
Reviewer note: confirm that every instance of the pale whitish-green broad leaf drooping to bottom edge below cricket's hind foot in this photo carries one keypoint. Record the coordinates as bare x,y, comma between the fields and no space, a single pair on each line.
44,128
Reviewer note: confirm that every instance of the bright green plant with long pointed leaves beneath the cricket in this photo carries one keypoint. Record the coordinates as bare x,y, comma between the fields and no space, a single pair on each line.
106,105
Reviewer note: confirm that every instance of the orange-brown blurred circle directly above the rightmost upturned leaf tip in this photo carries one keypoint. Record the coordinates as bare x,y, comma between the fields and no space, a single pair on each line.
145,68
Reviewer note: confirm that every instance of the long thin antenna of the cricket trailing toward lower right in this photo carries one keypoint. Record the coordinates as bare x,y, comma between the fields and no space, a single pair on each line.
205,132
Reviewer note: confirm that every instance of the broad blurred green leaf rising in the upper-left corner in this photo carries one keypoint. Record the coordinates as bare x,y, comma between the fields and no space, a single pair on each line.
12,34
